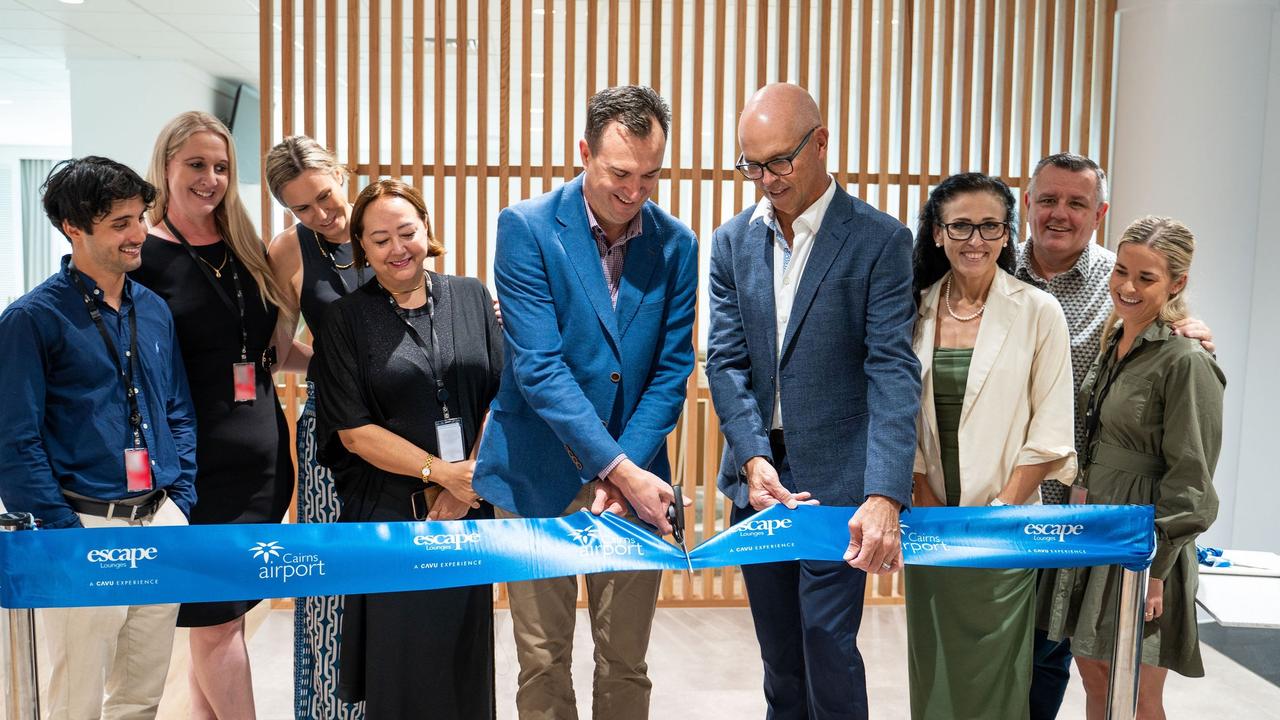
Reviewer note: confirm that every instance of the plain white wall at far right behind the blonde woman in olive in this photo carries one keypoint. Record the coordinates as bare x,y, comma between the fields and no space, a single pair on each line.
1190,143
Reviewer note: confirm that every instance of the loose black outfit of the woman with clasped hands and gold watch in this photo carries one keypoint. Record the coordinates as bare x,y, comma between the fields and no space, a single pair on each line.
413,654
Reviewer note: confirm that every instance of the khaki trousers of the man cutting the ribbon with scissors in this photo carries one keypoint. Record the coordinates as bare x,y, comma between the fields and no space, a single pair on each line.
543,613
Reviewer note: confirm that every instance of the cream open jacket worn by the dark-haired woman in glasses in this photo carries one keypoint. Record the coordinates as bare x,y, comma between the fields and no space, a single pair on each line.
1018,403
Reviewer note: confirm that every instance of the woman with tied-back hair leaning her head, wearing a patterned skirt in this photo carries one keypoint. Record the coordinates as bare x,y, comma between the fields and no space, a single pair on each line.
313,262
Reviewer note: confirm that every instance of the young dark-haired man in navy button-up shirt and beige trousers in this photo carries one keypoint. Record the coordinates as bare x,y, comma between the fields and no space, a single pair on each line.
99,431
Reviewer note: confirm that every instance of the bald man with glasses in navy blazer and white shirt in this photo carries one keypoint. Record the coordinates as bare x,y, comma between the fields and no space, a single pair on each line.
817,389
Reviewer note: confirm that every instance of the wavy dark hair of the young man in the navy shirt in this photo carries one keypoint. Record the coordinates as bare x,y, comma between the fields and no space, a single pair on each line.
81,192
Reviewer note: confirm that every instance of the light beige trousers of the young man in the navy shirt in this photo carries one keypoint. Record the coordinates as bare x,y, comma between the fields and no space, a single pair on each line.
122,653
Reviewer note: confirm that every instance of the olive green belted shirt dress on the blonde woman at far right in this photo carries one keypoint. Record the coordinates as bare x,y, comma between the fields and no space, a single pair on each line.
1158,441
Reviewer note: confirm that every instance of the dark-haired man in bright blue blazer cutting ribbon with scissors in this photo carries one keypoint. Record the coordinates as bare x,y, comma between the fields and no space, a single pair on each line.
598,288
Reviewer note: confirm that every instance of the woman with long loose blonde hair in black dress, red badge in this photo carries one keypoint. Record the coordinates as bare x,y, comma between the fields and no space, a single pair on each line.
208,262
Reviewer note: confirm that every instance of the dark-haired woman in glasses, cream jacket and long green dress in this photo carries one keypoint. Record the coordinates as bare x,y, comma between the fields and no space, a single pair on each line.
996,420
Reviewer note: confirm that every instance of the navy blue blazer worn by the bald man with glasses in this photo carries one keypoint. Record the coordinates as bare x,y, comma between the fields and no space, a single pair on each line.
851,380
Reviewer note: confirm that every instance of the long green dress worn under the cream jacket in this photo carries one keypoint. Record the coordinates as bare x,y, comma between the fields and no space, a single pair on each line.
968,630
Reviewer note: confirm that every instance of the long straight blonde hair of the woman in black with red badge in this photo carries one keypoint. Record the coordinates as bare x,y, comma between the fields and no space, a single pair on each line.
232,220
